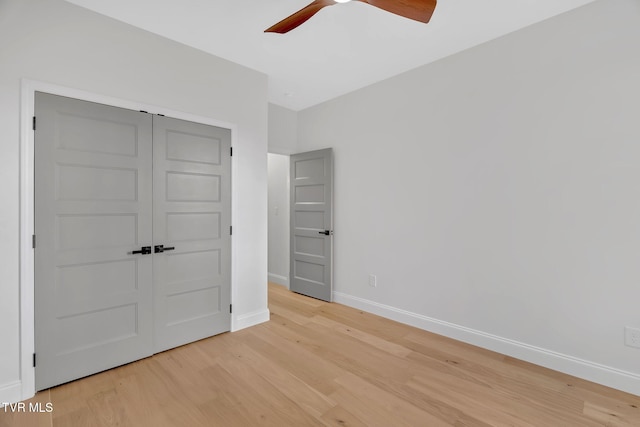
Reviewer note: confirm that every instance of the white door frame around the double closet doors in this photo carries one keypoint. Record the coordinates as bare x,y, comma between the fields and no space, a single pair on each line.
28,88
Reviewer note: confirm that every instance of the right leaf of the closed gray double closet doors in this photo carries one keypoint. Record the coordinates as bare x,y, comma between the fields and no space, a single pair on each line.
192,220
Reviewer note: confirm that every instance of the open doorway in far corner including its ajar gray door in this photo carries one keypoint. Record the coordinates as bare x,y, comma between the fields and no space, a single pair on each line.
301,237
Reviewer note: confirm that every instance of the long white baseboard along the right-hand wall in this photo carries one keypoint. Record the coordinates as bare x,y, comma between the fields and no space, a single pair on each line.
601,374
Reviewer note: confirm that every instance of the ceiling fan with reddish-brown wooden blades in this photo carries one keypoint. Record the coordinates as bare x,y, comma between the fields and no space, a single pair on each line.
418,10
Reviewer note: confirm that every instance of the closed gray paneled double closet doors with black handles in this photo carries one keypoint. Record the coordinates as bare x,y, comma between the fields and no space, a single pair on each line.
132,256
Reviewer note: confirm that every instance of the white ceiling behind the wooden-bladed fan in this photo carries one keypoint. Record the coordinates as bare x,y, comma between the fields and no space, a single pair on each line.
342,48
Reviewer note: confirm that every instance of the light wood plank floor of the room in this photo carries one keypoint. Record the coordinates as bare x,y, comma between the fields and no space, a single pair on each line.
318,364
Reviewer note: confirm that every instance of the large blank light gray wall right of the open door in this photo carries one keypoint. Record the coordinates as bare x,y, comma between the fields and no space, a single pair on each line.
496,193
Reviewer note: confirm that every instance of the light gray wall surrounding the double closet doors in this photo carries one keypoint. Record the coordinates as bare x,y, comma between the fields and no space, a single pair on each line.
53,41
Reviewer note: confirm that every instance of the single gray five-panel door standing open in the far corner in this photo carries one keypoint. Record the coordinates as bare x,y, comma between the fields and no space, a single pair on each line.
312,224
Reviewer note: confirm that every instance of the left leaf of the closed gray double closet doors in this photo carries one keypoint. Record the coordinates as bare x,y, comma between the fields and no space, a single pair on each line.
93,178
